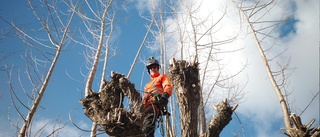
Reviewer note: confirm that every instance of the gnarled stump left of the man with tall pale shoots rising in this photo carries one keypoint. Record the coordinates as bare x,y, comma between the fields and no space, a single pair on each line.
105,107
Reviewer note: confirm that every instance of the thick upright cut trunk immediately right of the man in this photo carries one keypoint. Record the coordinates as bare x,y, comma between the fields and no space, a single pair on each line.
185,79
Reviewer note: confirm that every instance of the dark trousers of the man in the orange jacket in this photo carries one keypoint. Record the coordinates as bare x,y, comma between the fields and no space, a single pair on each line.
151,114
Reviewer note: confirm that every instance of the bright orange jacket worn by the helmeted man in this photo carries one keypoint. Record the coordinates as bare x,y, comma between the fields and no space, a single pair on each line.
157,85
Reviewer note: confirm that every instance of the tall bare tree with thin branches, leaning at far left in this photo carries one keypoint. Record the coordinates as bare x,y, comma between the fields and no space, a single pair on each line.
49,48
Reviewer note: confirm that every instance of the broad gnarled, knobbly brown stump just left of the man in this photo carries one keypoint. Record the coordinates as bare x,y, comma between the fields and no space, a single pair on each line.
106,107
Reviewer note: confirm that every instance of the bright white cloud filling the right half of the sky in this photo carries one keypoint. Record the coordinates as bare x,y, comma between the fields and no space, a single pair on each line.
262,104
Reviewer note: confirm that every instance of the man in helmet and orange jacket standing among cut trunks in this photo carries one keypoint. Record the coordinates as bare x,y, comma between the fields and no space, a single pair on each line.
157,92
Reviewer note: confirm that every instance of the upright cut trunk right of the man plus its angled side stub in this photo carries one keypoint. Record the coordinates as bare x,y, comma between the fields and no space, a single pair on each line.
185,79
